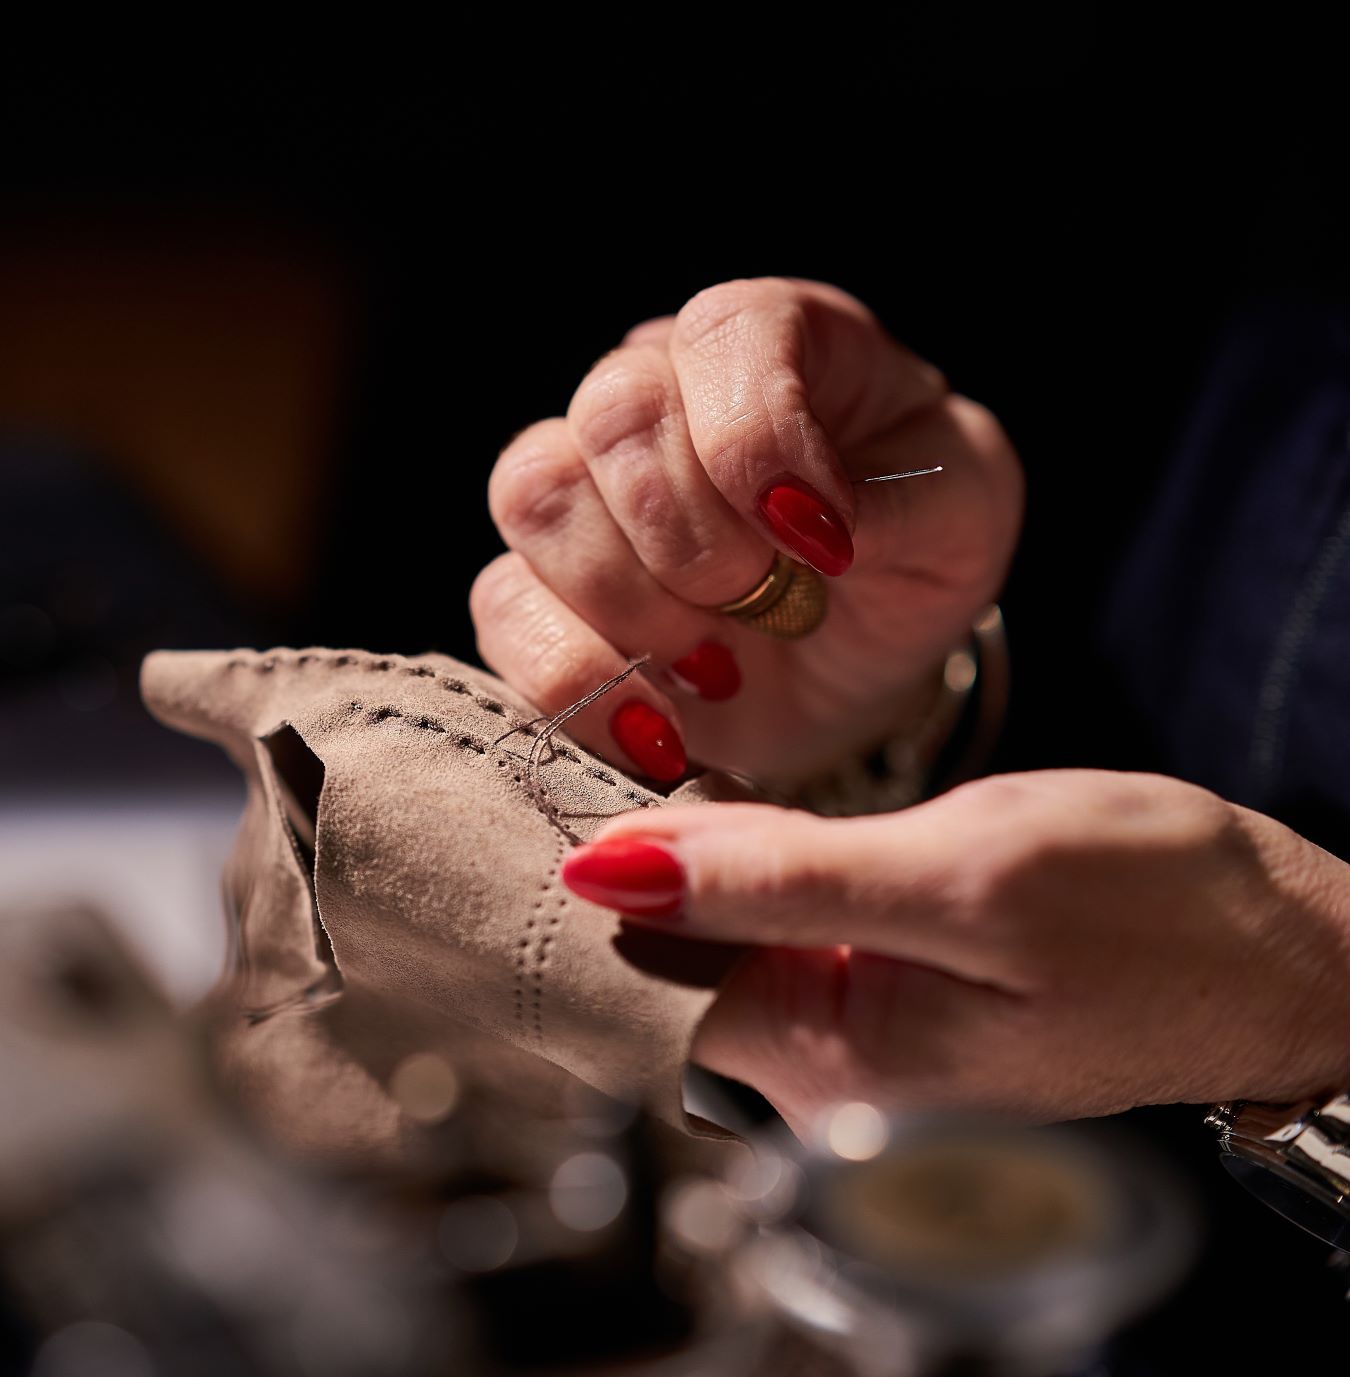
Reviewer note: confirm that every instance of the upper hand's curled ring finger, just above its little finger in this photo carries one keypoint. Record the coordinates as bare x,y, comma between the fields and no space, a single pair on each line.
549,509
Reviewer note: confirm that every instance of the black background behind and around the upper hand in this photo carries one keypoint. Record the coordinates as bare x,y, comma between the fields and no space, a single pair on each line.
1063,229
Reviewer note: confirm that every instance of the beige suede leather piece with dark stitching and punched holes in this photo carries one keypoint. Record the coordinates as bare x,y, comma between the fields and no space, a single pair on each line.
432,914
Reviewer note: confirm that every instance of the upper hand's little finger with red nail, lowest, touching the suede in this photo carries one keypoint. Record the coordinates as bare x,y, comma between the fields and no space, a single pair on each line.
539,645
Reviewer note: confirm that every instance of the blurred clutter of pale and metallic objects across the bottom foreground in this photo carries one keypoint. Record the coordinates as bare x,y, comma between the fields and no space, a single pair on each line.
147,1230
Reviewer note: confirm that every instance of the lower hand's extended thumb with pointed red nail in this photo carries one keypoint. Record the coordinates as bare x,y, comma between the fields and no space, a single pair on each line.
750,874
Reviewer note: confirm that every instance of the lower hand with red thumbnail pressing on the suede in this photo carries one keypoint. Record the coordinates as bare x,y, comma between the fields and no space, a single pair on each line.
1055,945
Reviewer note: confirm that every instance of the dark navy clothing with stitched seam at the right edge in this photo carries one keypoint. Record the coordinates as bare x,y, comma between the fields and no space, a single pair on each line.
1231,620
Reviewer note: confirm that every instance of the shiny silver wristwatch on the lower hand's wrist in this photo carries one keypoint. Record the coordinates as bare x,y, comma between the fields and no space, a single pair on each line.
1293,1157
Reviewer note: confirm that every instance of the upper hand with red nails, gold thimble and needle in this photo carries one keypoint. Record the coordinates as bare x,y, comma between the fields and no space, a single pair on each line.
692,452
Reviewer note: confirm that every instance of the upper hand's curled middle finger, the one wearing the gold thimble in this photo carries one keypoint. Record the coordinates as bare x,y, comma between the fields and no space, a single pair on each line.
627,423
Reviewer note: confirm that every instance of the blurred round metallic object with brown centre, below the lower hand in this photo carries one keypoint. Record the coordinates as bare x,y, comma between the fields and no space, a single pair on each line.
929,1244
